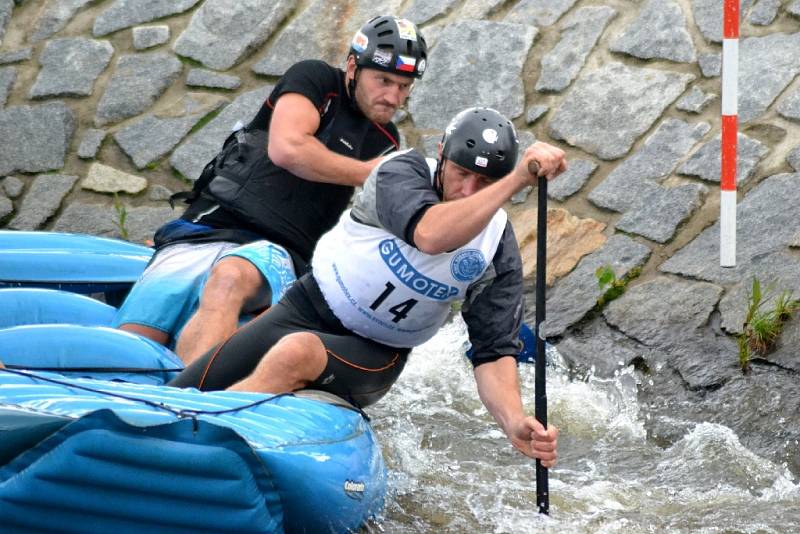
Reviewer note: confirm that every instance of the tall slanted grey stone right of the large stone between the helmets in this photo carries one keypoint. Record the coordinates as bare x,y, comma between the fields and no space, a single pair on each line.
579,34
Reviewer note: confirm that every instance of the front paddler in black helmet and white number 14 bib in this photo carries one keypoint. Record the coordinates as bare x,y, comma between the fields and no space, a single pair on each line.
420,235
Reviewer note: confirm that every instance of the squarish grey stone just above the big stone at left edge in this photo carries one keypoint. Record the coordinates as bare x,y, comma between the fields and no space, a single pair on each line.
70,67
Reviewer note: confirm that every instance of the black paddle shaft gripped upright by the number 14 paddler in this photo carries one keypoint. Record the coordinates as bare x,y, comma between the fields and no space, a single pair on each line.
540,390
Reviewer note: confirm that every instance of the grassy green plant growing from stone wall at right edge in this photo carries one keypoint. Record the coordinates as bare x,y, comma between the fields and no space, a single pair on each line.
763,327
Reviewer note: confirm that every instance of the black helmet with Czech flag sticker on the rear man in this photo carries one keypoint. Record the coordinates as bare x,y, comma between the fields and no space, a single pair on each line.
390,44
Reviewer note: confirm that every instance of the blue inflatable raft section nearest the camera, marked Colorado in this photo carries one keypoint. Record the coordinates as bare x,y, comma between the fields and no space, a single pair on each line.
86,455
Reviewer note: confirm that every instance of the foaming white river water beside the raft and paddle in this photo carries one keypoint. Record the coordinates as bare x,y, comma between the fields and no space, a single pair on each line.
452,470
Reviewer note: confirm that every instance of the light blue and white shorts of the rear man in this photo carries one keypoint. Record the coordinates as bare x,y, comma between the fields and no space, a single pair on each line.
167,293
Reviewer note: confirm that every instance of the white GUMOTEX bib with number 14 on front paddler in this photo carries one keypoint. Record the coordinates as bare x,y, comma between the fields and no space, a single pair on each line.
386,290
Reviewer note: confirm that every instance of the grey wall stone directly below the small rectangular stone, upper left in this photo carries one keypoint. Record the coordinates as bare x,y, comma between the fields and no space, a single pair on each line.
137,82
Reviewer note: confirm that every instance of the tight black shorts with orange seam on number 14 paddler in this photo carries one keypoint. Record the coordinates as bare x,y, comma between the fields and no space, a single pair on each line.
359,370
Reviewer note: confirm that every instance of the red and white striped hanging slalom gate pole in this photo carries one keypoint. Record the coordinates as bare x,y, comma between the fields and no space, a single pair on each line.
730,96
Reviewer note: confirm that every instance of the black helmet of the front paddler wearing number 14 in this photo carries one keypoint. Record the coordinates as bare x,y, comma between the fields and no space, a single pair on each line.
482,141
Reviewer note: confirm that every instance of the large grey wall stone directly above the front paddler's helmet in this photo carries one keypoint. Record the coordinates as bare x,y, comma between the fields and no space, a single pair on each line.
500,87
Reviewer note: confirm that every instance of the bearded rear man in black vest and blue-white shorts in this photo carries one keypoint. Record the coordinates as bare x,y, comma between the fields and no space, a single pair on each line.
258,209
